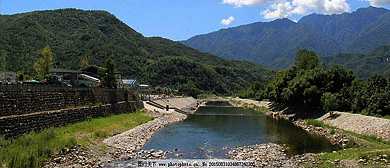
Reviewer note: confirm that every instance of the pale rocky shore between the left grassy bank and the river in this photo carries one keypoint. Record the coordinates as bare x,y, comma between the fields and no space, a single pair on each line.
123,146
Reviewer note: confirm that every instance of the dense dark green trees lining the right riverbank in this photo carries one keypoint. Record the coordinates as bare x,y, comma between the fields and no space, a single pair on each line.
309,85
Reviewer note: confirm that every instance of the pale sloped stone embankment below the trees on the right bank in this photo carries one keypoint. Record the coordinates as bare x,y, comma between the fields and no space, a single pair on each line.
361,124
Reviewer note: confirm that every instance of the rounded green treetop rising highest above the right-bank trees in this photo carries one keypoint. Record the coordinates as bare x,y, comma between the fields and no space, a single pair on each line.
306,59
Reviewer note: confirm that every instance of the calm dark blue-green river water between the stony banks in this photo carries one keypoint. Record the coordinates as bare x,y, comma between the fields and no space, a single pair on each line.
218,127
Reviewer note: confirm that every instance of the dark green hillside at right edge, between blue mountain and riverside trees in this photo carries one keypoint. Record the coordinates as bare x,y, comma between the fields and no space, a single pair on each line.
363,65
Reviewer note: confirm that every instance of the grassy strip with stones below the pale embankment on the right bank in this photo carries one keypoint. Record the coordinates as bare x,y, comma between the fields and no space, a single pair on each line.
369,148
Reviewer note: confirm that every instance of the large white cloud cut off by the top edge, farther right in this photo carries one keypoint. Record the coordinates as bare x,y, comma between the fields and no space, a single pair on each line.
324,6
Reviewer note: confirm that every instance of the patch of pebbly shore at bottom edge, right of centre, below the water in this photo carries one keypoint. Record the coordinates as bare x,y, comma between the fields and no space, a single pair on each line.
270,155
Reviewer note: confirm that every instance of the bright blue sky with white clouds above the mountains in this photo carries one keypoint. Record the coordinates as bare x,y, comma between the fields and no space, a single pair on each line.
182,19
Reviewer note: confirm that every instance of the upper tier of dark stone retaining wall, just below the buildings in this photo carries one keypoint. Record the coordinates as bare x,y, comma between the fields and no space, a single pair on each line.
17,103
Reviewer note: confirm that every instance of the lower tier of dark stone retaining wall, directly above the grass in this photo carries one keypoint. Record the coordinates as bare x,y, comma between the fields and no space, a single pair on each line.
14,126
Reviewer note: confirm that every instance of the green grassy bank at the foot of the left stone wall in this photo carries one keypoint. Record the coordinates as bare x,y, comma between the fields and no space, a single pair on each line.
31,150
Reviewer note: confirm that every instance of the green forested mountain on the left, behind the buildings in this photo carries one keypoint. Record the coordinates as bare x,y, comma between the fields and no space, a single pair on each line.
75,34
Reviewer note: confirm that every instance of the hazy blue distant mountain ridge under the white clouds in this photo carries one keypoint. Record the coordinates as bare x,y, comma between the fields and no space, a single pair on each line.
275,43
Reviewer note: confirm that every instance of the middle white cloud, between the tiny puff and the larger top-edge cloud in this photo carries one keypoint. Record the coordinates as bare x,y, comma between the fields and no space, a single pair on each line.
280,10
